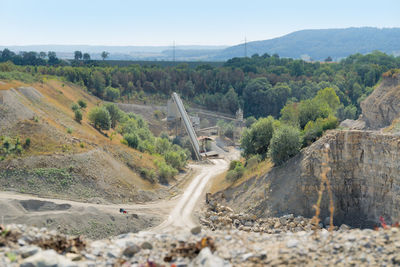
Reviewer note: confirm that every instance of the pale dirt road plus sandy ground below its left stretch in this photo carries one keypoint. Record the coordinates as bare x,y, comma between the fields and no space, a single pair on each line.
102,220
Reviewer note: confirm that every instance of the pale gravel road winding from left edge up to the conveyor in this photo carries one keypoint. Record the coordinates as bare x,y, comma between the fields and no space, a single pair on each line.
175,214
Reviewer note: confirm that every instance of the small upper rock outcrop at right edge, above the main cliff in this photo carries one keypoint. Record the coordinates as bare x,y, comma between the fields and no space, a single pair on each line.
383,105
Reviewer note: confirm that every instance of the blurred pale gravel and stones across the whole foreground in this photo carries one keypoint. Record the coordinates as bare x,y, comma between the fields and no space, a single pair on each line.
27,246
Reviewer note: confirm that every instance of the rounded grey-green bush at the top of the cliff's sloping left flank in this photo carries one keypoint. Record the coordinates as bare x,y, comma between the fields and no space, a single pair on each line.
285,143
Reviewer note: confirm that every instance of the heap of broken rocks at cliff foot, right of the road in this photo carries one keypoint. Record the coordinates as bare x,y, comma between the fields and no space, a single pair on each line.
220,217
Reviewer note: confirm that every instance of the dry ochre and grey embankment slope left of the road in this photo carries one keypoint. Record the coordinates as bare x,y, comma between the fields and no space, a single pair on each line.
65,158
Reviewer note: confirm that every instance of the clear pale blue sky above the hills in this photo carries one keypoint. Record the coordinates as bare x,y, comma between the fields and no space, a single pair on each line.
202,22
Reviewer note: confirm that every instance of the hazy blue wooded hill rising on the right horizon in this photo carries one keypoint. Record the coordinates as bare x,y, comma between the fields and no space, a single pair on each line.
320,44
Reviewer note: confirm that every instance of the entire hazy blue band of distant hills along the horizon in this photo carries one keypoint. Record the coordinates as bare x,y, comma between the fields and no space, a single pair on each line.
305,44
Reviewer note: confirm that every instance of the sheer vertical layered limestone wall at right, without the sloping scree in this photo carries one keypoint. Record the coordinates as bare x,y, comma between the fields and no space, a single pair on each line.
364,175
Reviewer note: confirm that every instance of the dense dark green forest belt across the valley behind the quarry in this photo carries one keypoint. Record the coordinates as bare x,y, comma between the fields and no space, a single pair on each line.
261,85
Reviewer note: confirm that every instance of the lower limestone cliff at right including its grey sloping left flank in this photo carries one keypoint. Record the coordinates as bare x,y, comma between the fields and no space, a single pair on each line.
364,175
